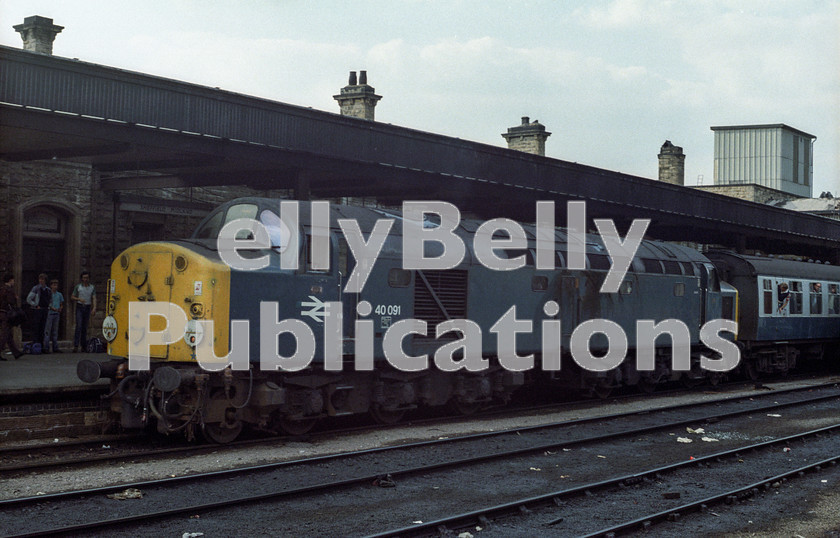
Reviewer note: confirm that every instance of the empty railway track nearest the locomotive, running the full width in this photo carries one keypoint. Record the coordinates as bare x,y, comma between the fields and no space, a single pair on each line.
467,457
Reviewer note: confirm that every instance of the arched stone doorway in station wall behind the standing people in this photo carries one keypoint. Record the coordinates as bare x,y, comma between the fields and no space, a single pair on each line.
48,244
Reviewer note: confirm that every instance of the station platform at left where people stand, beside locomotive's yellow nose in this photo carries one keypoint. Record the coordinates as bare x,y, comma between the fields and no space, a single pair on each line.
53,373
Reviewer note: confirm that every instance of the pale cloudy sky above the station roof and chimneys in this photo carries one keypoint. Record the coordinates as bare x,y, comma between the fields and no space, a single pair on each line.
610,79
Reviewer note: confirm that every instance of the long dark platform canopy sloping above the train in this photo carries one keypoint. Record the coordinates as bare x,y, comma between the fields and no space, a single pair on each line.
141,131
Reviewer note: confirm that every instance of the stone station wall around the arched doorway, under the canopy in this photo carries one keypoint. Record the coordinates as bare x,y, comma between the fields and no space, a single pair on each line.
94,227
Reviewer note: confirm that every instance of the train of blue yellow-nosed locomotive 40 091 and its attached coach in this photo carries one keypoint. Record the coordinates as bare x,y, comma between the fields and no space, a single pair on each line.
449,320
